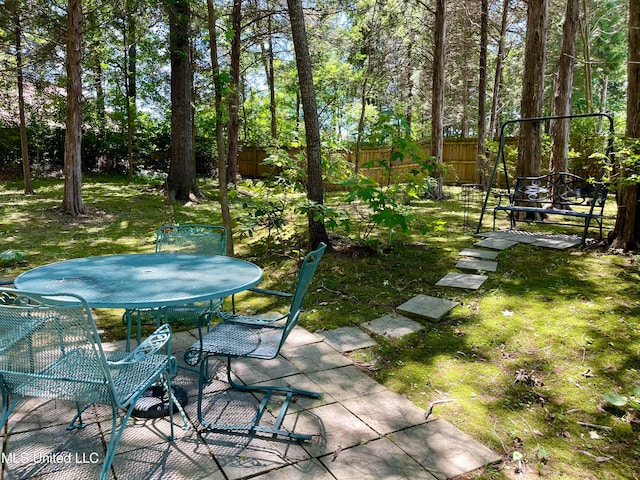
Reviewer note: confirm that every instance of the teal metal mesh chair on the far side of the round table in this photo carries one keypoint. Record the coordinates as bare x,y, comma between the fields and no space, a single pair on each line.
192,239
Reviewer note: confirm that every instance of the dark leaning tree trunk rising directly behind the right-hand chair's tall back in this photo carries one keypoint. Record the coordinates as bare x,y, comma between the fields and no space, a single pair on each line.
315,189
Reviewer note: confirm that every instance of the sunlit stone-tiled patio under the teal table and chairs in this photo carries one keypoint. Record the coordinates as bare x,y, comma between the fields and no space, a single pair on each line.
361,430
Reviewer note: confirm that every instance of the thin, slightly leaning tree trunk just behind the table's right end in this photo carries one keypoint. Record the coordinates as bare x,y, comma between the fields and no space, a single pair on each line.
218,105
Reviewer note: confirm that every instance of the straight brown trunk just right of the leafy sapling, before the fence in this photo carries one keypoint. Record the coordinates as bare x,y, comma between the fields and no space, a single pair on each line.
437,105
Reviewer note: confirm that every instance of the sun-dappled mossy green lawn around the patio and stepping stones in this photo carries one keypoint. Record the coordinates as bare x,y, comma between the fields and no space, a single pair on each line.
523,364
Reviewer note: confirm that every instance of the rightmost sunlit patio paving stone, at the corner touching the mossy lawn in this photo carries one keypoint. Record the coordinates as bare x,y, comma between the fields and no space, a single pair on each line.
443,449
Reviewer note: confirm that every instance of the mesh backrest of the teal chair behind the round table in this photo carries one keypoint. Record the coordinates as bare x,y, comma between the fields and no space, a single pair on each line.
192,238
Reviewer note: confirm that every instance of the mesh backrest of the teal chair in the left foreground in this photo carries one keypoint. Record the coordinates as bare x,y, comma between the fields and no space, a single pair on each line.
50,349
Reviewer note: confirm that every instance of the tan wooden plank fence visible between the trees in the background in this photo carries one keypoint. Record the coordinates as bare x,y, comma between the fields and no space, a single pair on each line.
459,157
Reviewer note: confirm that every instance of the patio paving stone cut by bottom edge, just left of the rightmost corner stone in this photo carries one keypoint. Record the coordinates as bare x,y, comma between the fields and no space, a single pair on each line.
376,460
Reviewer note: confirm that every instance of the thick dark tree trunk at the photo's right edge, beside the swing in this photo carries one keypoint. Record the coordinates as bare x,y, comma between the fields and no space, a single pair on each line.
626,233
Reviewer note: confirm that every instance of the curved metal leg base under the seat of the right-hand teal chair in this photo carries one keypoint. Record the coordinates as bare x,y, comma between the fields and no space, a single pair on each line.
255,426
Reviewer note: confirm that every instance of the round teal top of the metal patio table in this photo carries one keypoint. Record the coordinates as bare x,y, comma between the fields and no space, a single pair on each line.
143,280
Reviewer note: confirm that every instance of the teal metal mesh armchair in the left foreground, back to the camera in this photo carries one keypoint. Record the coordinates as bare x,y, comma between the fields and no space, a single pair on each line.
50,348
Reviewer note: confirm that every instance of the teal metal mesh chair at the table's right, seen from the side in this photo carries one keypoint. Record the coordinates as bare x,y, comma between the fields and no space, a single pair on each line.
246,336
